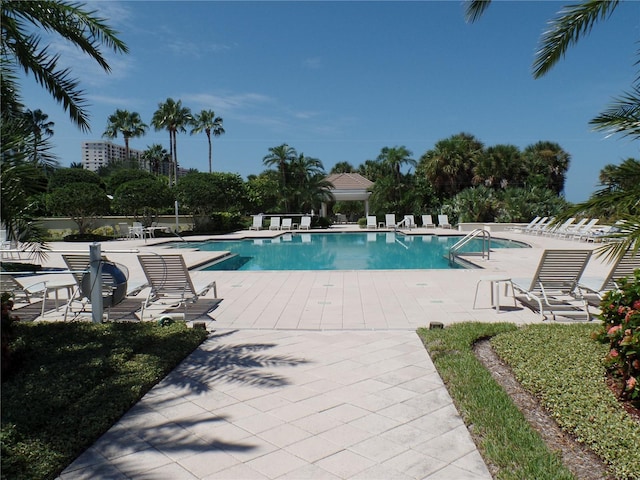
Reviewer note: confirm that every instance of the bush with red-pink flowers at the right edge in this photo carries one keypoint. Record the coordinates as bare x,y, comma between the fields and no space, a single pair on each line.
621,329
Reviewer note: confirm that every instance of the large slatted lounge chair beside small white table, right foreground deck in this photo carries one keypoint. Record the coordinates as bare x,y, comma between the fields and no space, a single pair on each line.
554,286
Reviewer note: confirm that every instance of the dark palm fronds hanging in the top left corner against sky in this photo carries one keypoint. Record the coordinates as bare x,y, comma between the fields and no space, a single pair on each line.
22,50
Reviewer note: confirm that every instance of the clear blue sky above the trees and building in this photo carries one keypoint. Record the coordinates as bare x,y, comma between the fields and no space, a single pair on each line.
340,80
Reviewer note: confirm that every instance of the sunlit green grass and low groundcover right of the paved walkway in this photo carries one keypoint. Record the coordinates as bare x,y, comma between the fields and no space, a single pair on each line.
562,366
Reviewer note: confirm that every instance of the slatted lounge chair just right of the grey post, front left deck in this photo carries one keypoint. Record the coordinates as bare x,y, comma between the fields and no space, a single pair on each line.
171,284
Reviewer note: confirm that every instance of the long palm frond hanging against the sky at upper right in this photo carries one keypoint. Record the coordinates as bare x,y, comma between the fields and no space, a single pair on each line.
573,22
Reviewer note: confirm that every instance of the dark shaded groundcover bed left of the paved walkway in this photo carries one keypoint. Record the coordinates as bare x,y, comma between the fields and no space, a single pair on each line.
73,381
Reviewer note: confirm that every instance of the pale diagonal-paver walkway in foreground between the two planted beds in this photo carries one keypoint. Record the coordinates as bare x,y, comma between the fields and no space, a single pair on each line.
292,404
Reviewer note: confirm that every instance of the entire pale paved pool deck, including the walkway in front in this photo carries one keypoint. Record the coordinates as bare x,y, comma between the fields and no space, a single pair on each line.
312,374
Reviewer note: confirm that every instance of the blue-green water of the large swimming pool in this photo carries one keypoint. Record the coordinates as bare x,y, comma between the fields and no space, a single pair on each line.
340,251
